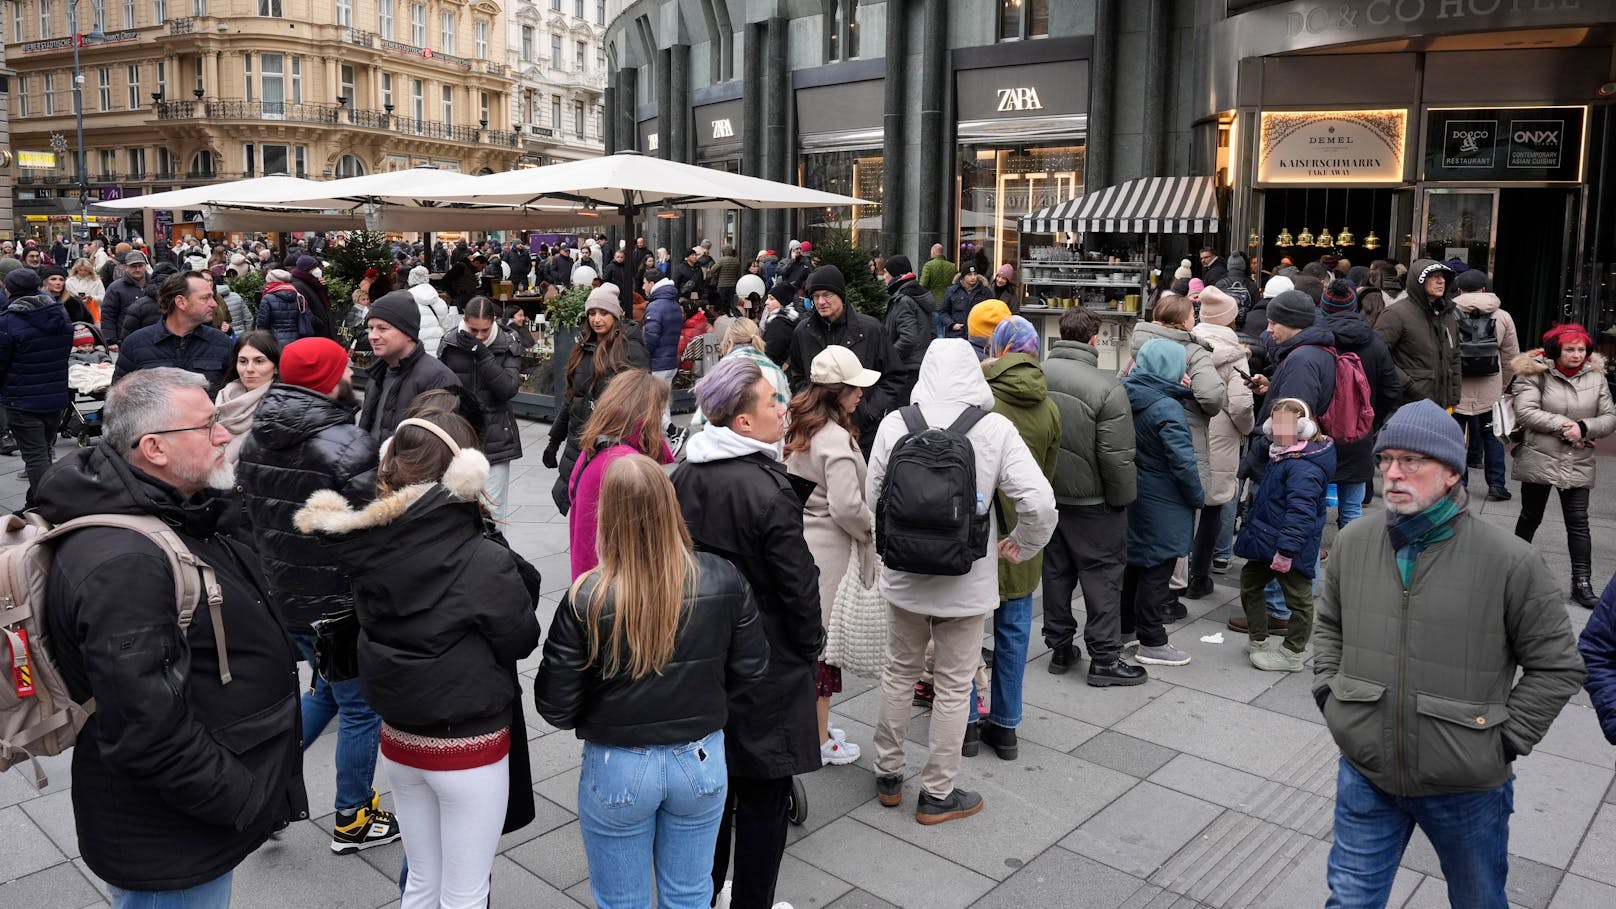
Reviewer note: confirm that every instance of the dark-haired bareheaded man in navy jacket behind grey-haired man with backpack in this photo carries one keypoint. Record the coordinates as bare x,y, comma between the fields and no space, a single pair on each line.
185,339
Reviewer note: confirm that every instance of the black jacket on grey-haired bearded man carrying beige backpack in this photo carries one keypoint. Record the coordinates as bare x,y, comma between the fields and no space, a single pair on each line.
177,779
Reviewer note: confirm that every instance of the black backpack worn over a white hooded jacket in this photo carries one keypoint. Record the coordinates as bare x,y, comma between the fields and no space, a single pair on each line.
928,520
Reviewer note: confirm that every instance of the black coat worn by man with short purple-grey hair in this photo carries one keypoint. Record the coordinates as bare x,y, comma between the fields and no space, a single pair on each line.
746,510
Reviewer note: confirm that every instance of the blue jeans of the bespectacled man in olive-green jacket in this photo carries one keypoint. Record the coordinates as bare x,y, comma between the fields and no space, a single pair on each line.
1470,831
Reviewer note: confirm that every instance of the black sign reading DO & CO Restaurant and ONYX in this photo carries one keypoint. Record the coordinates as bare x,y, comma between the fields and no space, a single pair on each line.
1505,145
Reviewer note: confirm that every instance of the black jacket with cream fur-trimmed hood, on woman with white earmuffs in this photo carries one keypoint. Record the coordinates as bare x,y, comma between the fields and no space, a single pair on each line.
444,611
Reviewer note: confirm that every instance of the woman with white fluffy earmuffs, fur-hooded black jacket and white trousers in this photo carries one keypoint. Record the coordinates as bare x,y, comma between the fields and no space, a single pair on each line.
445,615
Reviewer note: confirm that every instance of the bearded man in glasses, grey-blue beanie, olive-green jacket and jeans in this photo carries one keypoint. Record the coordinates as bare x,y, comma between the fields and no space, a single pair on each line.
1428,617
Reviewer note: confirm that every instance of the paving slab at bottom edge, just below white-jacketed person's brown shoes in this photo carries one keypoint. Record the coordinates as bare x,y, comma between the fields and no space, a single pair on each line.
890,868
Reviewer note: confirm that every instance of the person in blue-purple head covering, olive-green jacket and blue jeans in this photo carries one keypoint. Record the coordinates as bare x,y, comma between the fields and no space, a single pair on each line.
1022,397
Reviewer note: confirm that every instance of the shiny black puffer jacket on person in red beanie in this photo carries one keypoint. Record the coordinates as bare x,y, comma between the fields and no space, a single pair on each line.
300,444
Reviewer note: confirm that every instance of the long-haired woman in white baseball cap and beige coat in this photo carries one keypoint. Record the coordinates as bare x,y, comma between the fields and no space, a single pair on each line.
822,446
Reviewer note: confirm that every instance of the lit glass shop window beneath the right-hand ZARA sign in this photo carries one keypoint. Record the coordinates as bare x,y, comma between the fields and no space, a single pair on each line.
1001,184
